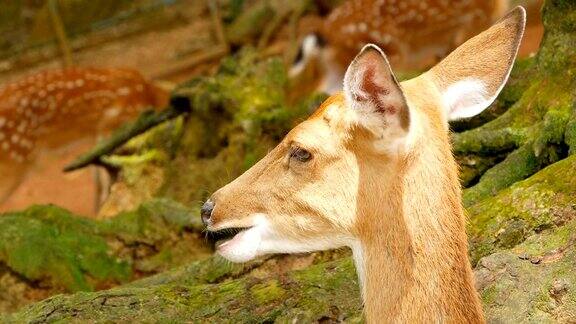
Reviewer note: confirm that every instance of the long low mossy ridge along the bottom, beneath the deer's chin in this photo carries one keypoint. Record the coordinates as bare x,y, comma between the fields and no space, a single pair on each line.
329,293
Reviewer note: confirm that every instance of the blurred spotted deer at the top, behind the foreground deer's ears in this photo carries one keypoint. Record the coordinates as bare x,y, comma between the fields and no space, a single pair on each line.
413,33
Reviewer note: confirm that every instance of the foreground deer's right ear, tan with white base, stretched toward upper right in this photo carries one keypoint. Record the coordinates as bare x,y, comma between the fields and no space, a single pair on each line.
472,76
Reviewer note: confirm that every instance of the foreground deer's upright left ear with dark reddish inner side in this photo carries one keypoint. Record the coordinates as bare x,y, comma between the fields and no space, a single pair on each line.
371,89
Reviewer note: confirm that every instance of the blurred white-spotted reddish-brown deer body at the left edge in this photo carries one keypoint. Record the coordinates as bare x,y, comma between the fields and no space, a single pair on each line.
56,107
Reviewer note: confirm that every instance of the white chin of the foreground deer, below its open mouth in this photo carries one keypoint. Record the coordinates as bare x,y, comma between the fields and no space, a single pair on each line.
242,247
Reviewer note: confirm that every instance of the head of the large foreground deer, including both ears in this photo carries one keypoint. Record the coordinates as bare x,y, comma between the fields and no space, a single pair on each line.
303,195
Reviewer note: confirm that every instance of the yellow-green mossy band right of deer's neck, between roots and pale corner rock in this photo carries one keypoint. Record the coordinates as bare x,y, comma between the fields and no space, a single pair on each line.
540,202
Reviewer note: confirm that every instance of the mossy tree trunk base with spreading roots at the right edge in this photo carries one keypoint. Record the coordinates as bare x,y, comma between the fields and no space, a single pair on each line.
538,128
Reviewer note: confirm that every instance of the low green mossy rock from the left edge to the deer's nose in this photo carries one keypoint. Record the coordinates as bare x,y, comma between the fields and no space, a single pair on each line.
46,249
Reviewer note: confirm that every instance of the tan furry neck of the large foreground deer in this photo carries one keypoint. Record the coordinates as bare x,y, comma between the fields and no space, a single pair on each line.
412,254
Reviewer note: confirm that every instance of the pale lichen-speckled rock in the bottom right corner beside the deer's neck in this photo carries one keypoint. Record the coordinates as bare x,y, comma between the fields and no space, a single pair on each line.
533,282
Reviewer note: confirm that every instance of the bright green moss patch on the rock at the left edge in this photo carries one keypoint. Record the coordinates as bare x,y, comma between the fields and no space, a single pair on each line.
50,243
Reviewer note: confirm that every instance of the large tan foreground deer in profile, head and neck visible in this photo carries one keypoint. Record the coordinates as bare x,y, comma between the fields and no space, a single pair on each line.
372,169
